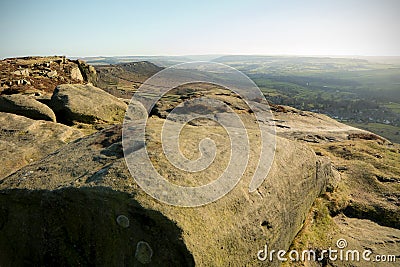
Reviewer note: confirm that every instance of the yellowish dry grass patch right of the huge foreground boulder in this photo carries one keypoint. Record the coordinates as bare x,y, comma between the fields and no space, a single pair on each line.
369,188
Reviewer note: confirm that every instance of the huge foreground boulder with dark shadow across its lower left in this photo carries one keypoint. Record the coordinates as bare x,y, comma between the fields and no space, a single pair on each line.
81,205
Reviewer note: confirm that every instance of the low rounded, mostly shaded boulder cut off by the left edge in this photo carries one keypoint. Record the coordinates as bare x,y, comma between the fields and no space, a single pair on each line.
26,106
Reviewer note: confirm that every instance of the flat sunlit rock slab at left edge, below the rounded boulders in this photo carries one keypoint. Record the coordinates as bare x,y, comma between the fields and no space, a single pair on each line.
24,140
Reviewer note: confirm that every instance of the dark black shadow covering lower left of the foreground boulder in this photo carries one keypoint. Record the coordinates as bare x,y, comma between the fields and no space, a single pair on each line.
85,226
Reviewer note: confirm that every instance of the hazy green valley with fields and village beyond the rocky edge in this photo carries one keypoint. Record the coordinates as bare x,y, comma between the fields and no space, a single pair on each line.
363,93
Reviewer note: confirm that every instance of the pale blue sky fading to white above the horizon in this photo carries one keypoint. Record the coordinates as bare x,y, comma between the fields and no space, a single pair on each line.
116,28
